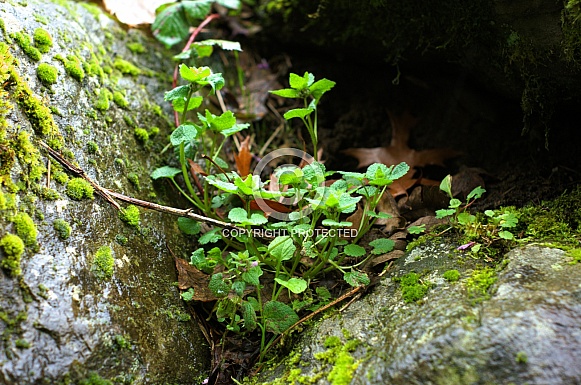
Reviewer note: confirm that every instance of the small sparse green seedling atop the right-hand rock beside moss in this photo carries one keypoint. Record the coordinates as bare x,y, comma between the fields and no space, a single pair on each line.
480,230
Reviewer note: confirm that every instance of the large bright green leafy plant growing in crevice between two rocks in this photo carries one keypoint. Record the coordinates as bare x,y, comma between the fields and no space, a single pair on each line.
263,272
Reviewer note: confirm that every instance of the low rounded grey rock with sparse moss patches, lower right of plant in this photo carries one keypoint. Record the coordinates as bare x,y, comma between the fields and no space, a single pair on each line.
517,325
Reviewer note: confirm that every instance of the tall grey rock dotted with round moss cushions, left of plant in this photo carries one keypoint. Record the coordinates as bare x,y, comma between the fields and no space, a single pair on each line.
95,299
